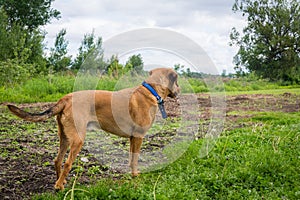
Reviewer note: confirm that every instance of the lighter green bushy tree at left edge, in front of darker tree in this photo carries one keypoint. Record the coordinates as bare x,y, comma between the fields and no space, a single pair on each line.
21,56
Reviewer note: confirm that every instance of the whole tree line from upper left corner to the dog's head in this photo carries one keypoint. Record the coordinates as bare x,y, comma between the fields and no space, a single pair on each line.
22,49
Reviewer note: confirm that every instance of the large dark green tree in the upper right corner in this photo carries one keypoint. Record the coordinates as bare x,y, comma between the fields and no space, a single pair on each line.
270,44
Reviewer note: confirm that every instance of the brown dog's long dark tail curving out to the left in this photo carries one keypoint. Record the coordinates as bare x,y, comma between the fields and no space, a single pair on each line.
37,117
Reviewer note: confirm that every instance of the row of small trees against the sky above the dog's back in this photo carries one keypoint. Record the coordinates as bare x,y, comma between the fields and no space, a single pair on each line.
90,51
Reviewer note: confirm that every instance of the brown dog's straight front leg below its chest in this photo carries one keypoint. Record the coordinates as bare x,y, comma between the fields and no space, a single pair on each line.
134,152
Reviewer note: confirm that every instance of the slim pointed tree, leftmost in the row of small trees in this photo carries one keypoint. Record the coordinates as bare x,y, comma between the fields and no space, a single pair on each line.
58,56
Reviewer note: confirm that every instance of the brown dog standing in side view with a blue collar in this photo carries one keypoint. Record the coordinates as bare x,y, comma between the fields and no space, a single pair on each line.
126,113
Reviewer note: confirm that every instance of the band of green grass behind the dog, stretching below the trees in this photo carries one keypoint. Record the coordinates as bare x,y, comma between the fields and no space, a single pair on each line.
51,88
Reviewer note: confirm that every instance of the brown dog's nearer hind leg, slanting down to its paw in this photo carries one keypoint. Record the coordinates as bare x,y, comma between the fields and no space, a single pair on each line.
76,143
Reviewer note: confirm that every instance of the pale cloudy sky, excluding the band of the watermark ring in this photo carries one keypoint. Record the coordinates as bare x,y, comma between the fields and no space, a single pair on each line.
207,23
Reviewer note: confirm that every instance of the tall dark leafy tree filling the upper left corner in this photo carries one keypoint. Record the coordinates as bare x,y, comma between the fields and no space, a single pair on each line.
21,39
